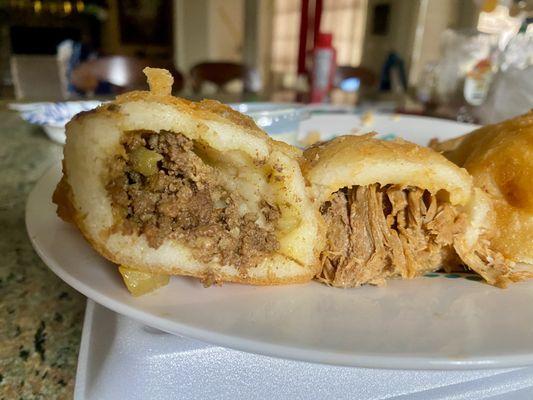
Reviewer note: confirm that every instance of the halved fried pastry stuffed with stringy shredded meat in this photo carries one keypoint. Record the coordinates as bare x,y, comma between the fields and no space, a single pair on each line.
391,209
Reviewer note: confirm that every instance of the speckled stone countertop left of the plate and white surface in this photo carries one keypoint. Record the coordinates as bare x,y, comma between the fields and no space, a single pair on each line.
41,317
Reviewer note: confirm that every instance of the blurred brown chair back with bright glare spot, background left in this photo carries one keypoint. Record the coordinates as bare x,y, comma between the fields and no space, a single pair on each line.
121,72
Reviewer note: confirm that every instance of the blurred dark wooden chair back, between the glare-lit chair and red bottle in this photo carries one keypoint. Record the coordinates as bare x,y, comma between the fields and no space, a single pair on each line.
218,73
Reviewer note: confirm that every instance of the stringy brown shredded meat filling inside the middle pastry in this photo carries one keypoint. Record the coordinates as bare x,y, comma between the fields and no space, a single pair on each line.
375,232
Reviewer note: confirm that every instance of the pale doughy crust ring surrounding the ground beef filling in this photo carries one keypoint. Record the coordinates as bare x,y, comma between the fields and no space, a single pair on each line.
93,137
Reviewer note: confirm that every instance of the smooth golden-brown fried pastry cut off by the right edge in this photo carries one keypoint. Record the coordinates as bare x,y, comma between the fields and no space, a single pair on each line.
500,159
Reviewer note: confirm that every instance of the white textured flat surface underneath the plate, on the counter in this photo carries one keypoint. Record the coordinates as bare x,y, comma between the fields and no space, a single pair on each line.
178,368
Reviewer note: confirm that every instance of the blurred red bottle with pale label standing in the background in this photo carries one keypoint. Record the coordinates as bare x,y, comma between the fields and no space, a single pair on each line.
324,62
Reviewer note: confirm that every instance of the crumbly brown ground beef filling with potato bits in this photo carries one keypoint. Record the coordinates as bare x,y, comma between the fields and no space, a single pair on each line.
163,189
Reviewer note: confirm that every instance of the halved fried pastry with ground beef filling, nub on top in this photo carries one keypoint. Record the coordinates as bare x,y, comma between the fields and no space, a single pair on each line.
167,186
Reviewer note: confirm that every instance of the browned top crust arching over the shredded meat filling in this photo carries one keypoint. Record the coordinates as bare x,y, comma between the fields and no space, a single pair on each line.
363,160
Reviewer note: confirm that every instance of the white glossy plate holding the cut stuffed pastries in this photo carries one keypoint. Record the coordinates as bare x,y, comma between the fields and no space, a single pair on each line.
433,322
